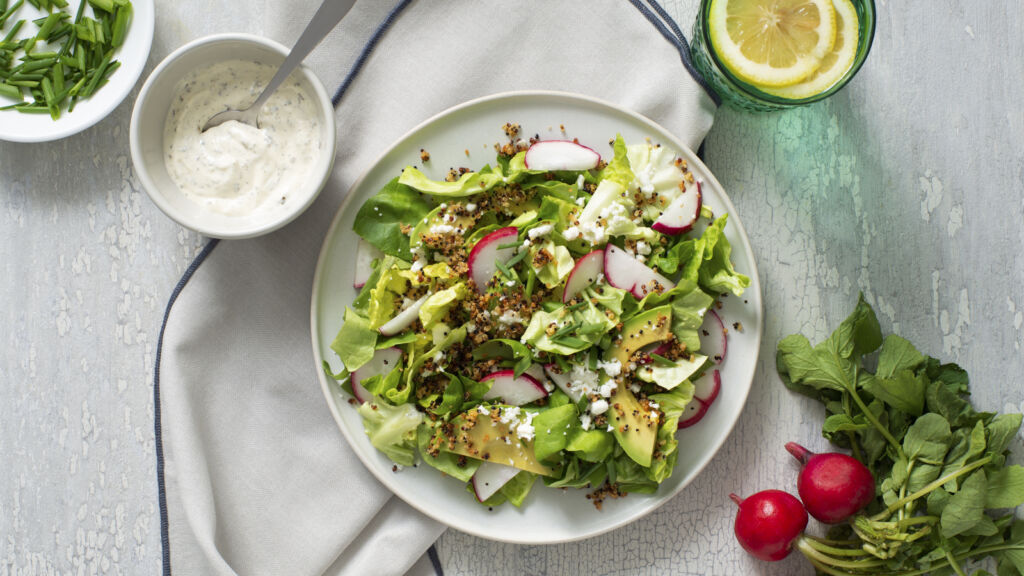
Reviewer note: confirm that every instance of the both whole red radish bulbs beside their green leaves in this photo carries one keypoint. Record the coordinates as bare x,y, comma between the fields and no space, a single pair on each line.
833,487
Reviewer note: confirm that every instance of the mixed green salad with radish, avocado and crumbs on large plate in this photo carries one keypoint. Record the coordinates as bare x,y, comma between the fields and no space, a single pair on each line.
540,317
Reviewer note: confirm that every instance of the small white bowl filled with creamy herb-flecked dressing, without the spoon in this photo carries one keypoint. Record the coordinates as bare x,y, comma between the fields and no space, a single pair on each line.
233,181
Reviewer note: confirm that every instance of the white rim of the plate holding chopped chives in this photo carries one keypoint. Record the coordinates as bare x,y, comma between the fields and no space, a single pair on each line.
144,23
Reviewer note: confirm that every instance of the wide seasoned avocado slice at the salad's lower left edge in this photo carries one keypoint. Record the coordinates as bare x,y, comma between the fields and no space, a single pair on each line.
485,439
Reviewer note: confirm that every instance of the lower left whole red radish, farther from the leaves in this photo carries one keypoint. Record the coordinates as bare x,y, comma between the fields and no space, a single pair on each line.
769,523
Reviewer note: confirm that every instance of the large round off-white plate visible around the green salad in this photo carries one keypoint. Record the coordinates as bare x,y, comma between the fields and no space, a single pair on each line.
548,516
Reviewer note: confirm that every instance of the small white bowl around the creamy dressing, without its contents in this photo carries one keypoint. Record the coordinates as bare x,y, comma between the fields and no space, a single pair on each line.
147,136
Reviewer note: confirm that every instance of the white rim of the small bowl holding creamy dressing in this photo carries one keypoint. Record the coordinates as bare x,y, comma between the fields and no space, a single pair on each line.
325,163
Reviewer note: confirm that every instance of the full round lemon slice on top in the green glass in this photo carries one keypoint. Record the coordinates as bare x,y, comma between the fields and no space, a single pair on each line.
773,43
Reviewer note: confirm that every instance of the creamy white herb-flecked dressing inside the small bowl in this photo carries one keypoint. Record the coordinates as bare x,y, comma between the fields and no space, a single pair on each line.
236,170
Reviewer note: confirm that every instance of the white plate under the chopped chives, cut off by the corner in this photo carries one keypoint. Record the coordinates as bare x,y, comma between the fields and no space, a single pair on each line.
20,128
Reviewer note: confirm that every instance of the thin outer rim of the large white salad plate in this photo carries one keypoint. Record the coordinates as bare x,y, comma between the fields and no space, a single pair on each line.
387,479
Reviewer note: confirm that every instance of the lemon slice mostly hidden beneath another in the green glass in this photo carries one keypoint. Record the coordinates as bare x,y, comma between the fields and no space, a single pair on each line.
836,64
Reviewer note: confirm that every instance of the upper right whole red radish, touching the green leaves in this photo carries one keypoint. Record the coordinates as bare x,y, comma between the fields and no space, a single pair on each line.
833,486
